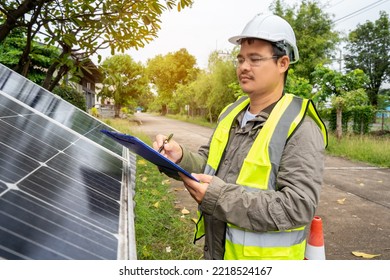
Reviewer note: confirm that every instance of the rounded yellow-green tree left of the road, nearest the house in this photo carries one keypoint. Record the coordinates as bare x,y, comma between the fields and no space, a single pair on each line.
124,81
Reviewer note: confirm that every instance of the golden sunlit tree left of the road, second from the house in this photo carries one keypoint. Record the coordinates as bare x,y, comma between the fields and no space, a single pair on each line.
168,72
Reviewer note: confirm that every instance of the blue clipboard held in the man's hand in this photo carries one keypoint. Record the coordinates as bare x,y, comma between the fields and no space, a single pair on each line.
142,149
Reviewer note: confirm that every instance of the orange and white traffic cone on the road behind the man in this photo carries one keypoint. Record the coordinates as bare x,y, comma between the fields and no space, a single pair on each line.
315,247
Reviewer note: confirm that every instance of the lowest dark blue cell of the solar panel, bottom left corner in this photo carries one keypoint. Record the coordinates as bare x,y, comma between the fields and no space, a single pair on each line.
40,231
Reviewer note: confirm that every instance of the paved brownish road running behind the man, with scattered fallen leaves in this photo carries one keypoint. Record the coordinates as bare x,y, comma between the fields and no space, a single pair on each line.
354,204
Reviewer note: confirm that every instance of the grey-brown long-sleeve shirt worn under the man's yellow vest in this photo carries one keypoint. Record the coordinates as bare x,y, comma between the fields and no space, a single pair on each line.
292,205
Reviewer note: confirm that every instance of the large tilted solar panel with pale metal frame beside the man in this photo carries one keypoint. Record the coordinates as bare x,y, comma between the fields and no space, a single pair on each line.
64,186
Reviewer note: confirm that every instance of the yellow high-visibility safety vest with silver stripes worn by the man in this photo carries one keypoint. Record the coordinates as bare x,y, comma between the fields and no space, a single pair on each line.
287,114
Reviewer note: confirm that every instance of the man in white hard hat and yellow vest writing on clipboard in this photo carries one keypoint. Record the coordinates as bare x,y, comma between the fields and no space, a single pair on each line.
261,173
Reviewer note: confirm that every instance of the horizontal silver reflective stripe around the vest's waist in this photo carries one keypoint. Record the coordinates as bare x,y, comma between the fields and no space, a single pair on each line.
265,239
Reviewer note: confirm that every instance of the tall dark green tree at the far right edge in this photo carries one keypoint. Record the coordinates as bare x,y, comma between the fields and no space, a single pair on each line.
369,50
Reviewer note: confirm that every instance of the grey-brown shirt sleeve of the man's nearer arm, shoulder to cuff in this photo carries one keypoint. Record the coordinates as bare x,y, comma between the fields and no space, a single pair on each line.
295,199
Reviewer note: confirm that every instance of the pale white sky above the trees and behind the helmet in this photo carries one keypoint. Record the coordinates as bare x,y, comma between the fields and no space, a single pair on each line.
209,24
